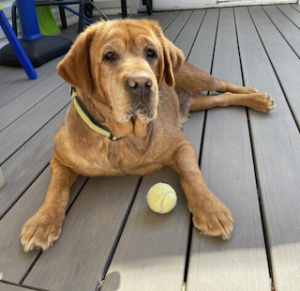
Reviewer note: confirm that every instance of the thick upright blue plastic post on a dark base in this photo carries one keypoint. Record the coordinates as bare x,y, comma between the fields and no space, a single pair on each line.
28,19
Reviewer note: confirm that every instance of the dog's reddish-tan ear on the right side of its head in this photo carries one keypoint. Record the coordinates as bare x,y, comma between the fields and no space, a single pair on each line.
173,56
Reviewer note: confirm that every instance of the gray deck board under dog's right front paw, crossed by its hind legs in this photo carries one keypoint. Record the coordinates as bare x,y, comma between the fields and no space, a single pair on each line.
227,166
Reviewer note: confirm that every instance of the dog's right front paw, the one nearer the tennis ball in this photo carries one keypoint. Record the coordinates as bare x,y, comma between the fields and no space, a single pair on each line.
212,217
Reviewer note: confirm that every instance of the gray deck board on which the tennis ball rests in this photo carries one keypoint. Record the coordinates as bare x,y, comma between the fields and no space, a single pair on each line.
147,236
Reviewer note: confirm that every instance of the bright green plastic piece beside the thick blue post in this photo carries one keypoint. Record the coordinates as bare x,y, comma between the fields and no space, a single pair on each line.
46,21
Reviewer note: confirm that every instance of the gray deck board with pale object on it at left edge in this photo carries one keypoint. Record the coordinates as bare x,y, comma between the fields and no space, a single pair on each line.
27,163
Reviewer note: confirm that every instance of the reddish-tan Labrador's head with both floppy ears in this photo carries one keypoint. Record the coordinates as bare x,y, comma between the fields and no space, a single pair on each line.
123,62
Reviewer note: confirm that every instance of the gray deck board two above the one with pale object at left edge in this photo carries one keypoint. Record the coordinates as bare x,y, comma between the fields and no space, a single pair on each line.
28,99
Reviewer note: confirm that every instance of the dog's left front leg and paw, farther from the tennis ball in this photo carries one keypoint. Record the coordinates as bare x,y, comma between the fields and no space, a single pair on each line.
44,227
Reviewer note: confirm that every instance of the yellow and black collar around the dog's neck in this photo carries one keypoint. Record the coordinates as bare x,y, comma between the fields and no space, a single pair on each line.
88,118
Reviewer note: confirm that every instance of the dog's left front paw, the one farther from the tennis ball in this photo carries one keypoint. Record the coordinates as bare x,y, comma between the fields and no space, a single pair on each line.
40,231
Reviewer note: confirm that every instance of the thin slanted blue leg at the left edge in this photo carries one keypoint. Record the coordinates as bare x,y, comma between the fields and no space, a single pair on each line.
16,46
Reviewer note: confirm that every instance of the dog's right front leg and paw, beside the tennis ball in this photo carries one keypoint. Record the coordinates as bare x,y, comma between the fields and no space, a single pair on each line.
210,215
